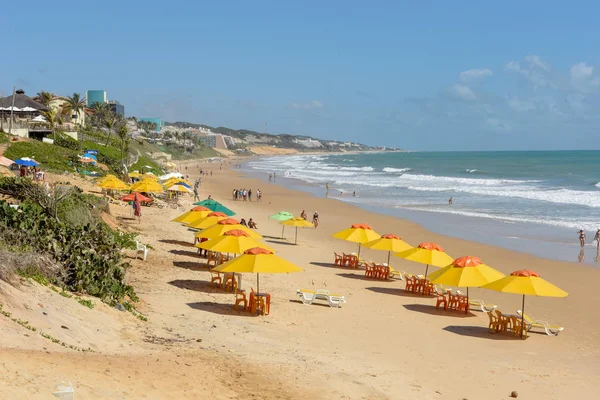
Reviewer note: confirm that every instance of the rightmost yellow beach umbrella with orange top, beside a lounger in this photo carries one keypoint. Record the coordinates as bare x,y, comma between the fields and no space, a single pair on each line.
525,282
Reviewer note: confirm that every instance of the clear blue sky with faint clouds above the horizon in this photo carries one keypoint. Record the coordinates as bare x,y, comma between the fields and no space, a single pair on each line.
439,75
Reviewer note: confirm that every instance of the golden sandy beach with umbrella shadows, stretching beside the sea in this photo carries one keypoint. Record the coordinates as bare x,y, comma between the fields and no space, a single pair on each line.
382,344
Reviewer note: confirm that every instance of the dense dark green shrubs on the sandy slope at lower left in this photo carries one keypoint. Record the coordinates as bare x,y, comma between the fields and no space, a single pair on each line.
88,251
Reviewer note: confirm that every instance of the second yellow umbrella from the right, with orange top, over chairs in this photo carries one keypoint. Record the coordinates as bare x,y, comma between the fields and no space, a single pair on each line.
467,271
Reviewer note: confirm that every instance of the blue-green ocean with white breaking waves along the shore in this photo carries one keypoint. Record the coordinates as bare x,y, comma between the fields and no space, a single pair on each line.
529,201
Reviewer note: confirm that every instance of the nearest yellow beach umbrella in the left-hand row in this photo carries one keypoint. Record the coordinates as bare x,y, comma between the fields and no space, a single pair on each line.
258,260
